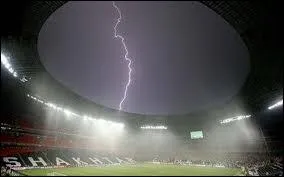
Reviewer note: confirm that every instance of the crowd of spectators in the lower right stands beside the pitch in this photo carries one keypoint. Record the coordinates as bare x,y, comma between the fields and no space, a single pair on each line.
254,164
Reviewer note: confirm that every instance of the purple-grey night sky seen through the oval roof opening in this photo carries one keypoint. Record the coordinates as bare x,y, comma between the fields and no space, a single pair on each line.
185,57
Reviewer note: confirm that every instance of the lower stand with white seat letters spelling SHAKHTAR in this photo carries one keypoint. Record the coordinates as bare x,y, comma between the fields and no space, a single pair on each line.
34,157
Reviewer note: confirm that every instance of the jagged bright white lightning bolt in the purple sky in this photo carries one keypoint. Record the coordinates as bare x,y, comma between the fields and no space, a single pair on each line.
126,53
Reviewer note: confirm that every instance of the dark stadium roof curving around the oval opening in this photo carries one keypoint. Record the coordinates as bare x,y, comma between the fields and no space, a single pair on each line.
256,22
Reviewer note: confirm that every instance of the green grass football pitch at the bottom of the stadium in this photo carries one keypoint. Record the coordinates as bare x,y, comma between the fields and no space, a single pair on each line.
142,169
